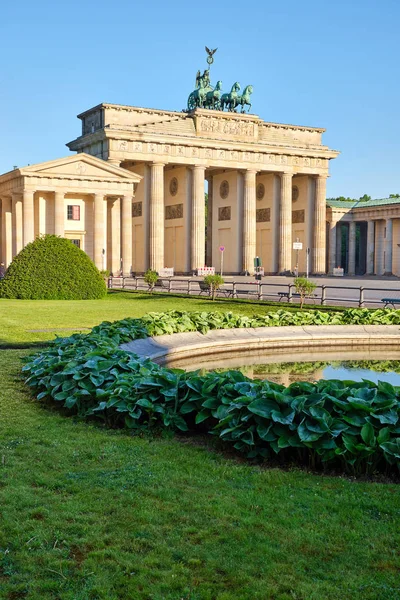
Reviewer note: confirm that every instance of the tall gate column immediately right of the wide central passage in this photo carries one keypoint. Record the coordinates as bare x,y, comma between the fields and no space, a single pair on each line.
249,221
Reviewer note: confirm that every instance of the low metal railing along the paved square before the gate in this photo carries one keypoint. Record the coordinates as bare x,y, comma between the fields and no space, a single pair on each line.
323,294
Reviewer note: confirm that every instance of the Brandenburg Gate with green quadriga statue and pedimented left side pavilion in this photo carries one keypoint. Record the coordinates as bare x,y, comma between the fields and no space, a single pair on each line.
133,197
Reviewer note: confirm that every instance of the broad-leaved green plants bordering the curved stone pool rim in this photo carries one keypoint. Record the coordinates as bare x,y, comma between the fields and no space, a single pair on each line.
344,424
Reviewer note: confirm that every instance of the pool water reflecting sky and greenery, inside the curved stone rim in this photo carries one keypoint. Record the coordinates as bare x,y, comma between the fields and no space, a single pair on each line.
285,368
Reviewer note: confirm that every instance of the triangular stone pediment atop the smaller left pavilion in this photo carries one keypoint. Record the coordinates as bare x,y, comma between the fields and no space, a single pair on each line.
81,166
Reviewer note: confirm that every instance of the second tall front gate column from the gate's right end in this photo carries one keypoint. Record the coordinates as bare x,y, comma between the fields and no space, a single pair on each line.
285,224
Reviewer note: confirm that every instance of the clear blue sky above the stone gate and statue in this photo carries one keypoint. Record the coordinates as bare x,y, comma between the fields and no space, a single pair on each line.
326,64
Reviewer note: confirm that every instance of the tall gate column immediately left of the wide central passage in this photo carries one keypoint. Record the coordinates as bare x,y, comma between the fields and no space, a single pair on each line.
197,239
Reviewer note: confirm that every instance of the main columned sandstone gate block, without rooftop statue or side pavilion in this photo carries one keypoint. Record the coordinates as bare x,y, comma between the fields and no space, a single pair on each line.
266,186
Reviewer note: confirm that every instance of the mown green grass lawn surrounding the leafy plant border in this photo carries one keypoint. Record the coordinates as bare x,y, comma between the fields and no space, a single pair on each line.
90,514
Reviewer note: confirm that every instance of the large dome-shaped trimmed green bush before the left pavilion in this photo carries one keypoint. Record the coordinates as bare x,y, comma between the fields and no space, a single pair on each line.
52,268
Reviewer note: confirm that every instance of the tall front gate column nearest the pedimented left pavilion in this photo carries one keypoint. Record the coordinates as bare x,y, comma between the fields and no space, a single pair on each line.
156,217
